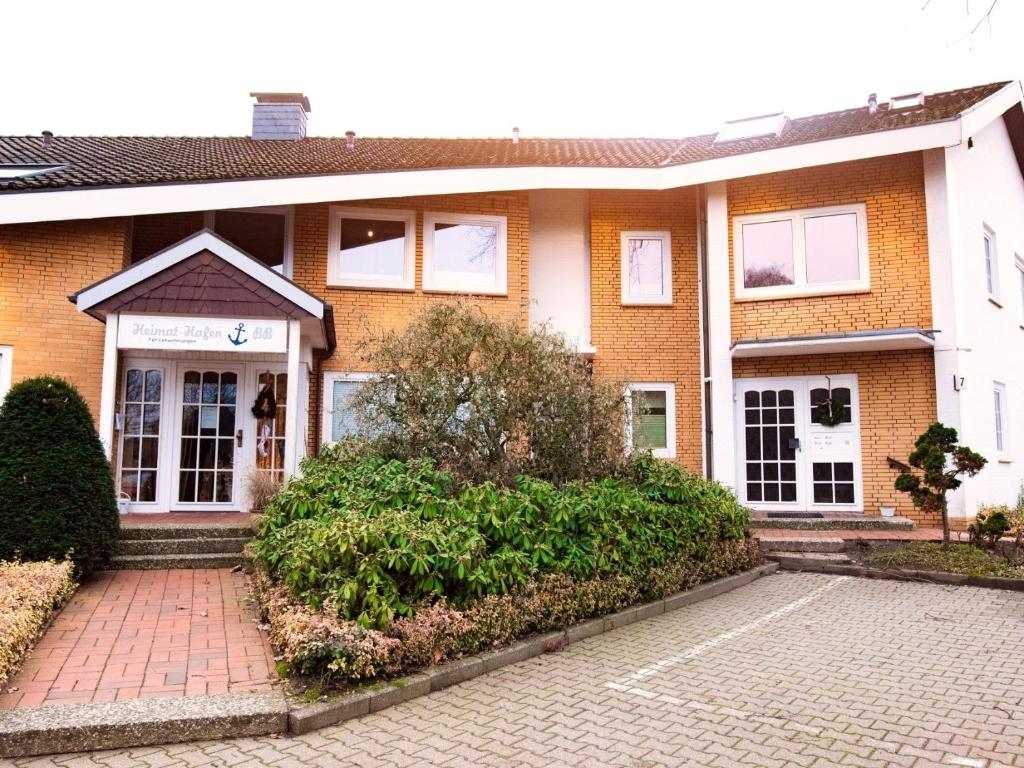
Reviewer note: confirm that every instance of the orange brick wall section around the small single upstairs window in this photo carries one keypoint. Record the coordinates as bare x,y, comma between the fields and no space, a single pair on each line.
650,344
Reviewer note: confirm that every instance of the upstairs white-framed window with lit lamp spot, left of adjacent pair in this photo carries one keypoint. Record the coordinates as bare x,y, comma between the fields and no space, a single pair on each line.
372,249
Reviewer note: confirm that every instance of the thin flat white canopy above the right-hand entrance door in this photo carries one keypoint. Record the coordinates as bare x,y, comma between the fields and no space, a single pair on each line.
861,342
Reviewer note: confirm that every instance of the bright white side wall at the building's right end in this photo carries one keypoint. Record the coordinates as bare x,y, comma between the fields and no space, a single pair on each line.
986,188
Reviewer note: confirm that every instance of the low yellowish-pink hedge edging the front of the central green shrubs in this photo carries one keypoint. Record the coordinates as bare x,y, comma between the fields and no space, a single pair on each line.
340,651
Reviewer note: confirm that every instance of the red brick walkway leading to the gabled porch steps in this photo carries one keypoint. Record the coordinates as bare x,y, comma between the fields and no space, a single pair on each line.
140,634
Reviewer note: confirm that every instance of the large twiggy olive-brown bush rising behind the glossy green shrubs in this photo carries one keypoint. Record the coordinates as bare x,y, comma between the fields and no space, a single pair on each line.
489,400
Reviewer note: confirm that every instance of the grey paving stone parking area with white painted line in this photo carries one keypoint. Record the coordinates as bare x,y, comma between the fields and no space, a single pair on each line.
794,670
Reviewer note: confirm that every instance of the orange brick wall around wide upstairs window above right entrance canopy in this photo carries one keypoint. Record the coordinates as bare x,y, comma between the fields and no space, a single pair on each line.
893,191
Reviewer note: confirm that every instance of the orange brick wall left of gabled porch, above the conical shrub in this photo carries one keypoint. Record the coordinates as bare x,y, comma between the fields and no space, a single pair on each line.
40,267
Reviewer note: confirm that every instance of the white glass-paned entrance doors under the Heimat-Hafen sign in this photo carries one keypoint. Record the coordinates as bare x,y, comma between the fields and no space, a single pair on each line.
189,437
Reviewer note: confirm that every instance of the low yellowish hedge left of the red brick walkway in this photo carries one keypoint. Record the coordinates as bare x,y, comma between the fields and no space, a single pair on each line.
30,593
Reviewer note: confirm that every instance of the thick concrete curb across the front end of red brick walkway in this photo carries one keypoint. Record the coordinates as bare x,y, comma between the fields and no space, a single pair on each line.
64,729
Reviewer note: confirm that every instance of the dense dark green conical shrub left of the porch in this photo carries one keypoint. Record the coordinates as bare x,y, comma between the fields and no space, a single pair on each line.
57,490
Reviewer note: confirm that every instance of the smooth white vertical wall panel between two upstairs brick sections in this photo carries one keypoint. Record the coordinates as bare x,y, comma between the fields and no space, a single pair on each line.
560,263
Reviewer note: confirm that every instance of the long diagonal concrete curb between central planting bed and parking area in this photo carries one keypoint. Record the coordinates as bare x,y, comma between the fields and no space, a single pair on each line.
307,718
